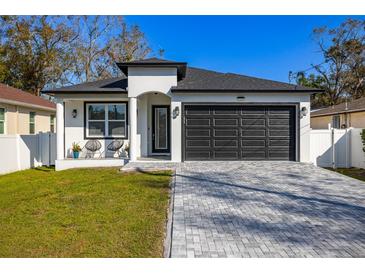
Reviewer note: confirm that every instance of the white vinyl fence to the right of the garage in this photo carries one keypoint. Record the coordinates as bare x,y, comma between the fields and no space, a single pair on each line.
337,148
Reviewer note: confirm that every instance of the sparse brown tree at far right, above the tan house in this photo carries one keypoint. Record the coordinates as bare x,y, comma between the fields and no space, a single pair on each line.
342,72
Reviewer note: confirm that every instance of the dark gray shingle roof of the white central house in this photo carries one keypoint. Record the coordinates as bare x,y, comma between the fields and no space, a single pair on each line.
194,80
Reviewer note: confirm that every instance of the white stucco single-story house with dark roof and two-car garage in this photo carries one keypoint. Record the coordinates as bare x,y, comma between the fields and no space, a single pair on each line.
168,111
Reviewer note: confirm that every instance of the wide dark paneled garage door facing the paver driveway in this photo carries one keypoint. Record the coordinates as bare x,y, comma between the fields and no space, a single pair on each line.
239,132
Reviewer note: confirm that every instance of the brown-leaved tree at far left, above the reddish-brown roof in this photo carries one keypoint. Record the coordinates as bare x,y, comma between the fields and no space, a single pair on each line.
35,51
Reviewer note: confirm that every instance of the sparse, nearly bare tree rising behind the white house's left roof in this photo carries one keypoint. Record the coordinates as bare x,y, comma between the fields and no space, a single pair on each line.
103,41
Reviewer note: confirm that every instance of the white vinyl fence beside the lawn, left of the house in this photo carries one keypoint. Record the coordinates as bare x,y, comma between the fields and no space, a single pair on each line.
18,152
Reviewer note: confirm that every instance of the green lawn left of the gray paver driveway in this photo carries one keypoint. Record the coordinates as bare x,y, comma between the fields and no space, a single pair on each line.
83,213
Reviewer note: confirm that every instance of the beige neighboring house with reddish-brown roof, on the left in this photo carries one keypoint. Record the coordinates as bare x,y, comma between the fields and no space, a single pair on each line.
24,113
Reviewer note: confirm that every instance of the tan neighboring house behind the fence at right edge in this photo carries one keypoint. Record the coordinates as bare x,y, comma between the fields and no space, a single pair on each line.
344,115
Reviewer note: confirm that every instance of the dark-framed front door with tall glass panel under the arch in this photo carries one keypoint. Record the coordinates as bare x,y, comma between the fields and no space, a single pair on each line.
160,129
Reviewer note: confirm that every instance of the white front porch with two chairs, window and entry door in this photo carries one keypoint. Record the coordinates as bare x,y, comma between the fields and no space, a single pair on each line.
144,125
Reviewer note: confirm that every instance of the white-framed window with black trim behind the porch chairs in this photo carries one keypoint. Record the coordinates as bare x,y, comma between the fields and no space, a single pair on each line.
106,120
